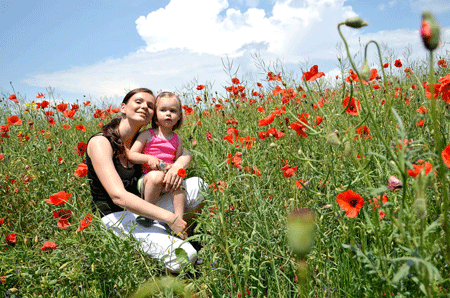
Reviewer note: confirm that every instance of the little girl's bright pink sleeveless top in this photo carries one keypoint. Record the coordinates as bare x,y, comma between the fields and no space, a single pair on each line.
160,148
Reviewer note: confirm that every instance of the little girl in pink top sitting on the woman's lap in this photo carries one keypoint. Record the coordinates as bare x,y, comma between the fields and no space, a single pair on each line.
157,149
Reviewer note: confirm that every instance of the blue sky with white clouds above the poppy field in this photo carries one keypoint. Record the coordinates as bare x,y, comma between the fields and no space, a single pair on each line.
99,49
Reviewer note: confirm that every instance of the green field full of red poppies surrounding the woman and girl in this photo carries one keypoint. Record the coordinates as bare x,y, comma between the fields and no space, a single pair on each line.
314,190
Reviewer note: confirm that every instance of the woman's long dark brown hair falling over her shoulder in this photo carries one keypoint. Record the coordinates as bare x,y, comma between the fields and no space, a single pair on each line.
111,130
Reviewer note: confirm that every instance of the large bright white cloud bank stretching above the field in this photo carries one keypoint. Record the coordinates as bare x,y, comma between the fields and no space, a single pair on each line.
188,39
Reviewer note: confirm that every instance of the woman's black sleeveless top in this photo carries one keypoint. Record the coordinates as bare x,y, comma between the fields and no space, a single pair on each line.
100,198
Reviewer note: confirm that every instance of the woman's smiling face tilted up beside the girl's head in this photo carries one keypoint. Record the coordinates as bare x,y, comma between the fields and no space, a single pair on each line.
140,107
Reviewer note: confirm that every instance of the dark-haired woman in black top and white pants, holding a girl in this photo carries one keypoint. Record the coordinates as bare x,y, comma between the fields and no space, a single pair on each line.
113,181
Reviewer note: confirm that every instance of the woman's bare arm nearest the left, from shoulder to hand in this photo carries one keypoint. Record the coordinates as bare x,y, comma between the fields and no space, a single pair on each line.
100,151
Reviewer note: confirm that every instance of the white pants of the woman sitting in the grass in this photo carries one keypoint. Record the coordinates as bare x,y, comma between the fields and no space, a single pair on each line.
155,240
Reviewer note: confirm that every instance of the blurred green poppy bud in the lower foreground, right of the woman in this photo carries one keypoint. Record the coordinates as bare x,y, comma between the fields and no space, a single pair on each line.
300,231
